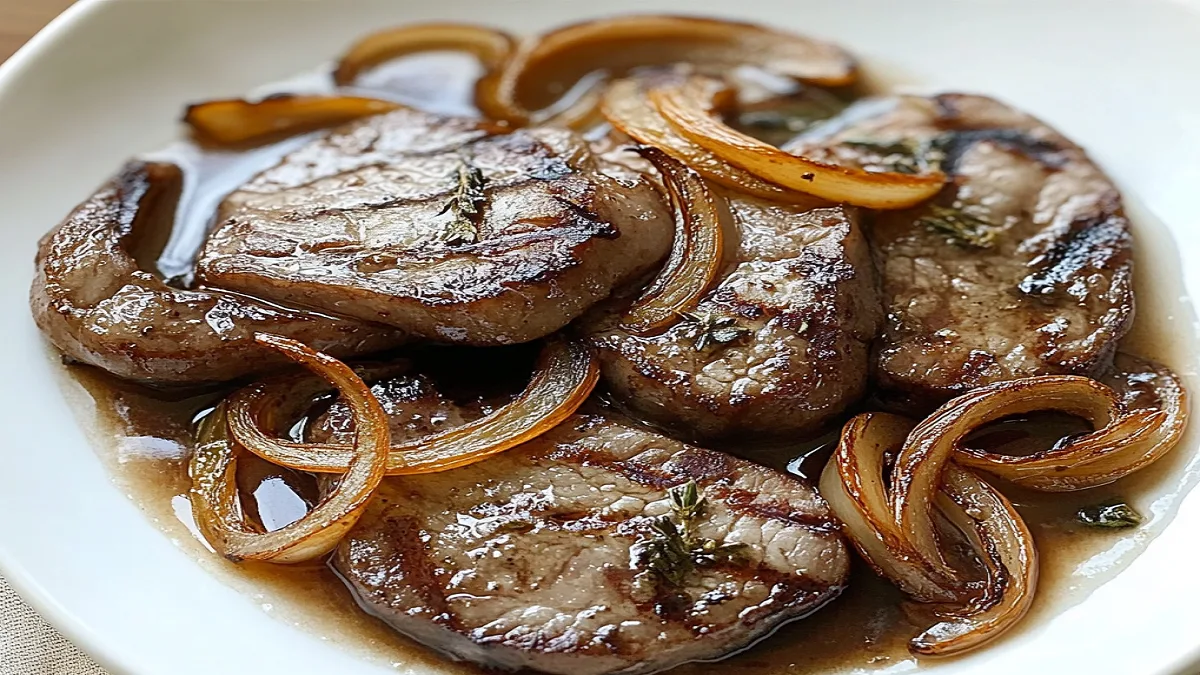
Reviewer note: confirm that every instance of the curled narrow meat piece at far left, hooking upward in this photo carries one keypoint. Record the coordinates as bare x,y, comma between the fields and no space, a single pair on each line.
95,304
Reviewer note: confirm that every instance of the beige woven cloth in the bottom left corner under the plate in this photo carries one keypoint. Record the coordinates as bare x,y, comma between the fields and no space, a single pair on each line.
32,647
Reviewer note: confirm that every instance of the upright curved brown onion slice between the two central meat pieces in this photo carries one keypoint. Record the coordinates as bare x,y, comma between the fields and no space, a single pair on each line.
695,258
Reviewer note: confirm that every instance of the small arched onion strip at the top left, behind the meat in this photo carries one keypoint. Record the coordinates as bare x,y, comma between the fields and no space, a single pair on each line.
490,46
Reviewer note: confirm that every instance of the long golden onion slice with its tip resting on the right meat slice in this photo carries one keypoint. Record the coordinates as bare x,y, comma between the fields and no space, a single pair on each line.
691,106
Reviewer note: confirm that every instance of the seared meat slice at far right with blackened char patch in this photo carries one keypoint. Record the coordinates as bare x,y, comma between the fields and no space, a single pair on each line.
1021,267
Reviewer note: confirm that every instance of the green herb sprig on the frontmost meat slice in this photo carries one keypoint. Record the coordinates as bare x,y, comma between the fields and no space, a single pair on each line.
675,549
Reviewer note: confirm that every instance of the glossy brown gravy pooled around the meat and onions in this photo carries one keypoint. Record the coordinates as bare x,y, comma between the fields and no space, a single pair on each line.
145,438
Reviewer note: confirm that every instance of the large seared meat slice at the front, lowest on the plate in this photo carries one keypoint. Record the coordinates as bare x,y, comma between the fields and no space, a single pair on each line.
532,559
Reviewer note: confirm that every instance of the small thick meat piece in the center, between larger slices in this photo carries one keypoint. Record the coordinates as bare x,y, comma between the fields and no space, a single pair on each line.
801,304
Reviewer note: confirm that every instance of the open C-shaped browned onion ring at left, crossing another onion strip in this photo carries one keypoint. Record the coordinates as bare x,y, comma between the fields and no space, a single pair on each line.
214,494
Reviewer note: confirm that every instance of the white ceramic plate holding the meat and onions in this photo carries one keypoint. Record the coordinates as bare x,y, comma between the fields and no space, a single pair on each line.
109,80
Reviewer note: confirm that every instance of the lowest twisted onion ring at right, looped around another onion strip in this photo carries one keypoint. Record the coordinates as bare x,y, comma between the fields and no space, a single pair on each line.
854,486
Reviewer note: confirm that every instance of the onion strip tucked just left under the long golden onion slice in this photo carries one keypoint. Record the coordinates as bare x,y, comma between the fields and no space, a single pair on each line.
627,107
